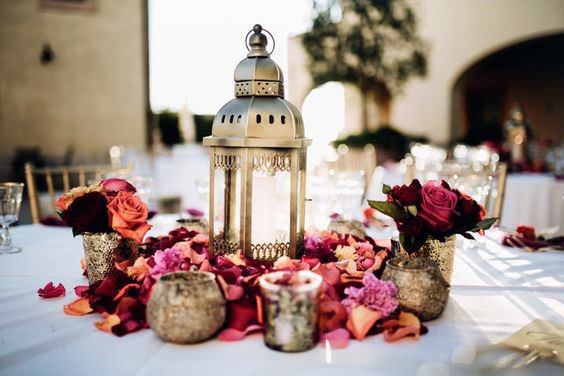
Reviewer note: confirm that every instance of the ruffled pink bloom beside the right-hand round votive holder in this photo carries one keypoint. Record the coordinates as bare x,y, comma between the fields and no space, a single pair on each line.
380,296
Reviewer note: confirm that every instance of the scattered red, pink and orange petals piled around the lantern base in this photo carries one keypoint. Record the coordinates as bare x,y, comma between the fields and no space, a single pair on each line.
353,301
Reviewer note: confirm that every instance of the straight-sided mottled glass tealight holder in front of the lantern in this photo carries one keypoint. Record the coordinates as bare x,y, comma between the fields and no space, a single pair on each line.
290,302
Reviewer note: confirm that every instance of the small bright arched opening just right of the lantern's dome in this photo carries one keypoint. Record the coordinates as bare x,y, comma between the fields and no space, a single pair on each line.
324,118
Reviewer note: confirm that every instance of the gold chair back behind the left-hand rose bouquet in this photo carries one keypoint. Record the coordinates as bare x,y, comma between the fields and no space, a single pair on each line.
61,179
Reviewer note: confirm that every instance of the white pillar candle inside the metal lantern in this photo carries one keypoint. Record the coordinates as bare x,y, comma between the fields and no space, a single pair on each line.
264,209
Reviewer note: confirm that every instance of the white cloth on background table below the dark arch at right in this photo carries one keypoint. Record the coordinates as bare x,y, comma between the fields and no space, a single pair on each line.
534,199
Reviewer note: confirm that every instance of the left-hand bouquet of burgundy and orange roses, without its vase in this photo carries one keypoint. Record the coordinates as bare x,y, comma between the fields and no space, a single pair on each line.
111,205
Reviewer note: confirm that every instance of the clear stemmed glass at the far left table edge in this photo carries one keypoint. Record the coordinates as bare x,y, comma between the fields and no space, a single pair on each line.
10,201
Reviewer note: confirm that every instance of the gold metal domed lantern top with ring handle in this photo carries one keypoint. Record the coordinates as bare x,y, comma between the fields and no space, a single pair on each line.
258,115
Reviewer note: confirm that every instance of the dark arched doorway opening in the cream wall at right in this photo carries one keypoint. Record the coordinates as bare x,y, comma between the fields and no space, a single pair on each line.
530,72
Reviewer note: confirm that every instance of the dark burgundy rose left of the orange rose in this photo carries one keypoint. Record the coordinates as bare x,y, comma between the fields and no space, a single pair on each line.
87,213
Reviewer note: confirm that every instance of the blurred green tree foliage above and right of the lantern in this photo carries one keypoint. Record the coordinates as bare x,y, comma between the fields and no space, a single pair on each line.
372,44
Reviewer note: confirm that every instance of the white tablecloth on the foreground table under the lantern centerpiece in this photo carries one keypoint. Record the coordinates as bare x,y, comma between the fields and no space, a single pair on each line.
495,291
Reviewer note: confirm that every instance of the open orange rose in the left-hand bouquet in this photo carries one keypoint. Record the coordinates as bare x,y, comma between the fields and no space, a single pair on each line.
128,216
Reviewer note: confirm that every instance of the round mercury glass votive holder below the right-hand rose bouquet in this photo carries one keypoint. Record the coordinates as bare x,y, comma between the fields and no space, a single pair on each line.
422,289
